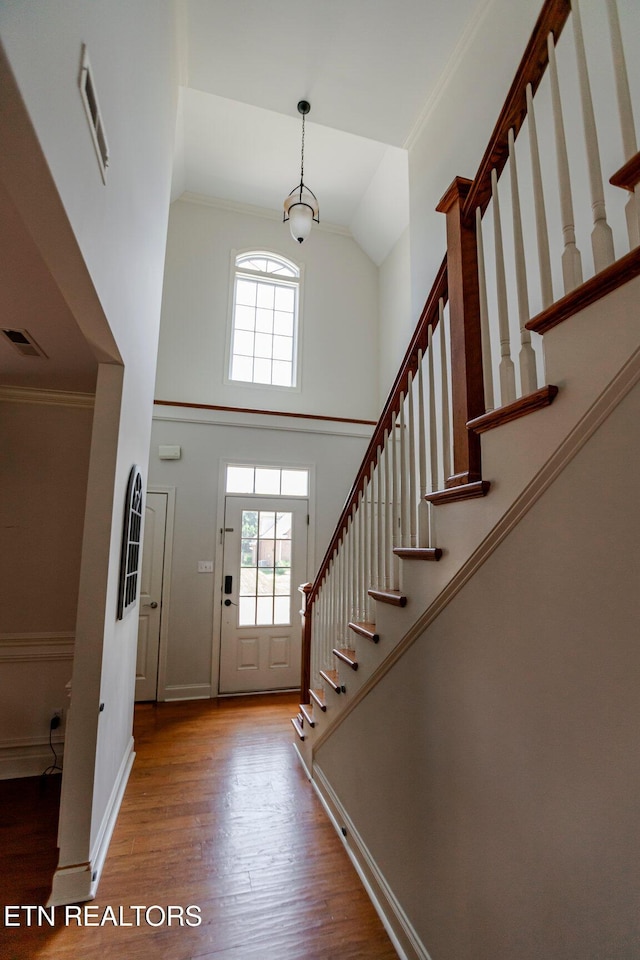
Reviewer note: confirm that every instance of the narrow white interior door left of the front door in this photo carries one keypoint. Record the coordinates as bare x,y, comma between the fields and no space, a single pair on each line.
155,522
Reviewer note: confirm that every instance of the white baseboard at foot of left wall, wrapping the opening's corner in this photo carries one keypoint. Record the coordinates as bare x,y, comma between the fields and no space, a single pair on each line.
79,882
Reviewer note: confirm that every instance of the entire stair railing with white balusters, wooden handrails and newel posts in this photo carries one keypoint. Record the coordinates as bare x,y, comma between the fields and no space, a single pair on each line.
425,449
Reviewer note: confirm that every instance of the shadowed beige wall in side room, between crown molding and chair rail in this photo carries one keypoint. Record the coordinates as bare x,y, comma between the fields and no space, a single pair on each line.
42,499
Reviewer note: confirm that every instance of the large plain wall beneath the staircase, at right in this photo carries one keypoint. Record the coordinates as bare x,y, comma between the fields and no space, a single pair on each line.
495,771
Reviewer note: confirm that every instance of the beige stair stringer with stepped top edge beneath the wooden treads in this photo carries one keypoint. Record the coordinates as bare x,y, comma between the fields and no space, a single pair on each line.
594,362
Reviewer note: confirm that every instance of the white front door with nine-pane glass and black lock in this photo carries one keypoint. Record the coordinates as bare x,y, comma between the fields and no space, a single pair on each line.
265,553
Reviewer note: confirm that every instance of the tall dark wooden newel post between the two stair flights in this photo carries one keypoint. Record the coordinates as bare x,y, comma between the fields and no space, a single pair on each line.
467,390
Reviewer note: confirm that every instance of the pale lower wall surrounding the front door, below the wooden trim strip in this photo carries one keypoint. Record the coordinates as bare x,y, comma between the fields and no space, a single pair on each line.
333,454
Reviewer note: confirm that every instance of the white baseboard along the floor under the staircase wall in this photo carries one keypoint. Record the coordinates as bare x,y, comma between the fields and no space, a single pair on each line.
396,923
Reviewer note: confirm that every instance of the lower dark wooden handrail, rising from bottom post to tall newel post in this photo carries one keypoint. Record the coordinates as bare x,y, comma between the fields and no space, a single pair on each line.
428,318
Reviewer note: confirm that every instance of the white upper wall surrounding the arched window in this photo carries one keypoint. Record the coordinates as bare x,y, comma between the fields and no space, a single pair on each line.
339,315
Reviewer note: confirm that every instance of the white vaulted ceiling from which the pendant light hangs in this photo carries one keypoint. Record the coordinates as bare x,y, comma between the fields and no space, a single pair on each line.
368,68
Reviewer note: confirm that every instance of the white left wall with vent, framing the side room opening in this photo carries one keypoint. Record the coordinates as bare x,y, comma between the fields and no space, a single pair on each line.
107,250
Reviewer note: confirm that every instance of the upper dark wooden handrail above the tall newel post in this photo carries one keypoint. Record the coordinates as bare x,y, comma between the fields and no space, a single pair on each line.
553,16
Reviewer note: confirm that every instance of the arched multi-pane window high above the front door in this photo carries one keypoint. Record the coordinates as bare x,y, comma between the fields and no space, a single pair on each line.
264,336
